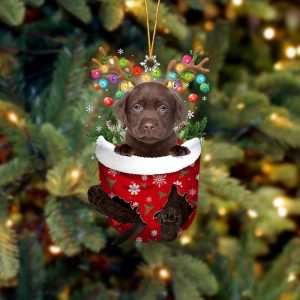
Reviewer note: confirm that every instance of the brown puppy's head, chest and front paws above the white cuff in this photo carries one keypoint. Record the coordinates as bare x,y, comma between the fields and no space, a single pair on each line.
149,112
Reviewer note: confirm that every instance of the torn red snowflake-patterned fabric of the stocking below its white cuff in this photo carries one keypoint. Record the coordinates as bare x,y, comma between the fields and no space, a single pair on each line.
150,194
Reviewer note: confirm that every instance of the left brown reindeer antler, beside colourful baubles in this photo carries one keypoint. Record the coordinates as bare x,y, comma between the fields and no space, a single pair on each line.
116,68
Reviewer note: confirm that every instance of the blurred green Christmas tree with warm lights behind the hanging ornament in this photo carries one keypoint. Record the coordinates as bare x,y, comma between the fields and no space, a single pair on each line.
244,242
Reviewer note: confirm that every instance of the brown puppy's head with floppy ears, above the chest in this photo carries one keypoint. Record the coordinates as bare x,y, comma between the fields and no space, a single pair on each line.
149,112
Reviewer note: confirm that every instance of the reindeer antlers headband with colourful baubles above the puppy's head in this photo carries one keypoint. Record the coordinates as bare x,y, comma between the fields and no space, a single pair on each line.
125,74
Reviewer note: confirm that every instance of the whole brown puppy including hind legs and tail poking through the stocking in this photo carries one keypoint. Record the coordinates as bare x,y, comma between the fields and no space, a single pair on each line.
149,112
